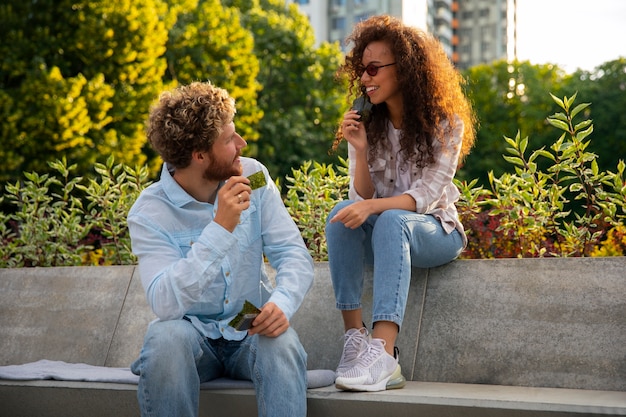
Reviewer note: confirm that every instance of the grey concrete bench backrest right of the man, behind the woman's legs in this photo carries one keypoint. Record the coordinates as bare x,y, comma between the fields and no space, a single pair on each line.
552,322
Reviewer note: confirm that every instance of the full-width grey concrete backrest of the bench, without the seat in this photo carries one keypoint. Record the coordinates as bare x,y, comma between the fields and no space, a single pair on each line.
522,322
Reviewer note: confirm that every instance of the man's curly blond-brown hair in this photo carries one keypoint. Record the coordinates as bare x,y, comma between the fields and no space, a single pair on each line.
187,119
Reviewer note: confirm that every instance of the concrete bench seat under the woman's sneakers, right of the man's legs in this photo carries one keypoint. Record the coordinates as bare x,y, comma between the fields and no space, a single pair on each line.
446,399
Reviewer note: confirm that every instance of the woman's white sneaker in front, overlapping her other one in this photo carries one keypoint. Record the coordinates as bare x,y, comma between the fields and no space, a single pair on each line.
374,368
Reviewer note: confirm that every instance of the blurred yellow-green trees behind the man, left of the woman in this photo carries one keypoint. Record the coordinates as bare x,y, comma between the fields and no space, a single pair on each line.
77,78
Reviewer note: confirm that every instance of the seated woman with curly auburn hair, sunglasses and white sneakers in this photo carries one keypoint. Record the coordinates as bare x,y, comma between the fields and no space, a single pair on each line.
403,155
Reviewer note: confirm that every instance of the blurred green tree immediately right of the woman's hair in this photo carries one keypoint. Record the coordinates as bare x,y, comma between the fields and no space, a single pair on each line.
507,98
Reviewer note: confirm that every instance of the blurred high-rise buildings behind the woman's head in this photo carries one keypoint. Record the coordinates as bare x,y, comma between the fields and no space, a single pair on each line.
471,31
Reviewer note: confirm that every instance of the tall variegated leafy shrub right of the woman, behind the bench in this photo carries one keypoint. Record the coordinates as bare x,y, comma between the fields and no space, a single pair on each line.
563,211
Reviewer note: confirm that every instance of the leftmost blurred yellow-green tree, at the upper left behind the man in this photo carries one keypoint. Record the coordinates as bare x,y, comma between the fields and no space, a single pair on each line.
76,80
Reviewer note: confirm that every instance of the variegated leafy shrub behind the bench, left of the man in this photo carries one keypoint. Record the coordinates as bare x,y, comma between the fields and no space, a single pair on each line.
52,226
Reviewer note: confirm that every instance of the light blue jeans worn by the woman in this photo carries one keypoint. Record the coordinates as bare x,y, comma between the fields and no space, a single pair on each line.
392,241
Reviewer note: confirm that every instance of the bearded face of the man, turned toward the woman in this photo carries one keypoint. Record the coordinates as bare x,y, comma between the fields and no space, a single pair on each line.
224,155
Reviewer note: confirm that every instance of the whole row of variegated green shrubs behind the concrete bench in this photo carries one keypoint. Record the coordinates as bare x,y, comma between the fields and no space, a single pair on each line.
569,209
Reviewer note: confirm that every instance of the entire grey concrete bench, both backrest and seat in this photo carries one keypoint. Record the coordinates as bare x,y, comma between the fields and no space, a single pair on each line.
509,337
